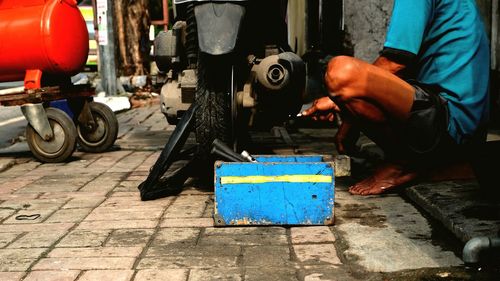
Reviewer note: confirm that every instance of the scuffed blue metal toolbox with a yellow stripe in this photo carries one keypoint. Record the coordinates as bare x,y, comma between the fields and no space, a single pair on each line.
278,190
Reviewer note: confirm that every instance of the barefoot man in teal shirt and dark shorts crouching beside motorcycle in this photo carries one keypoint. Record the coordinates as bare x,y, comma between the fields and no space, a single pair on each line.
443,47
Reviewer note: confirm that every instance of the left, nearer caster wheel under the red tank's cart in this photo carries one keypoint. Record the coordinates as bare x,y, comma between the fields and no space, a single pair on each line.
61,146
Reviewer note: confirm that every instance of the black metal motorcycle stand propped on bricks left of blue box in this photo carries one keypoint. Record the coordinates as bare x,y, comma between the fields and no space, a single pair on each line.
155,186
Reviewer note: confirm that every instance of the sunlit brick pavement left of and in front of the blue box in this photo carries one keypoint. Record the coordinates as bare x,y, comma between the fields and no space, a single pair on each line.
83,220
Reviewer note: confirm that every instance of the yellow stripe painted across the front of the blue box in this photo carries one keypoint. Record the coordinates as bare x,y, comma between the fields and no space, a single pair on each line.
284,178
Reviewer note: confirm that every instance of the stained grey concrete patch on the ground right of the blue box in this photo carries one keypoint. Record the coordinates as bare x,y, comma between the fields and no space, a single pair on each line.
387,234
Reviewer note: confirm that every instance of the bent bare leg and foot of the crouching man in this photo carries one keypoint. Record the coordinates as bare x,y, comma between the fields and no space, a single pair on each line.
380,102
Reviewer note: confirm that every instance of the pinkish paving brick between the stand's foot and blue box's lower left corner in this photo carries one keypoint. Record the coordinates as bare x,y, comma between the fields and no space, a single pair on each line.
187,207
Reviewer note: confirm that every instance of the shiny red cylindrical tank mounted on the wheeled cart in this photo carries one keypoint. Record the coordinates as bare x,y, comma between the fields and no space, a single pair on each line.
46,35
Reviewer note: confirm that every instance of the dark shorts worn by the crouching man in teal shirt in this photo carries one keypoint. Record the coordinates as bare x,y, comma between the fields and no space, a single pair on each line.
426,130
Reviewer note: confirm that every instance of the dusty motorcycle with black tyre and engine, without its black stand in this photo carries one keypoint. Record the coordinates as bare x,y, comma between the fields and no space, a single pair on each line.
234,60
